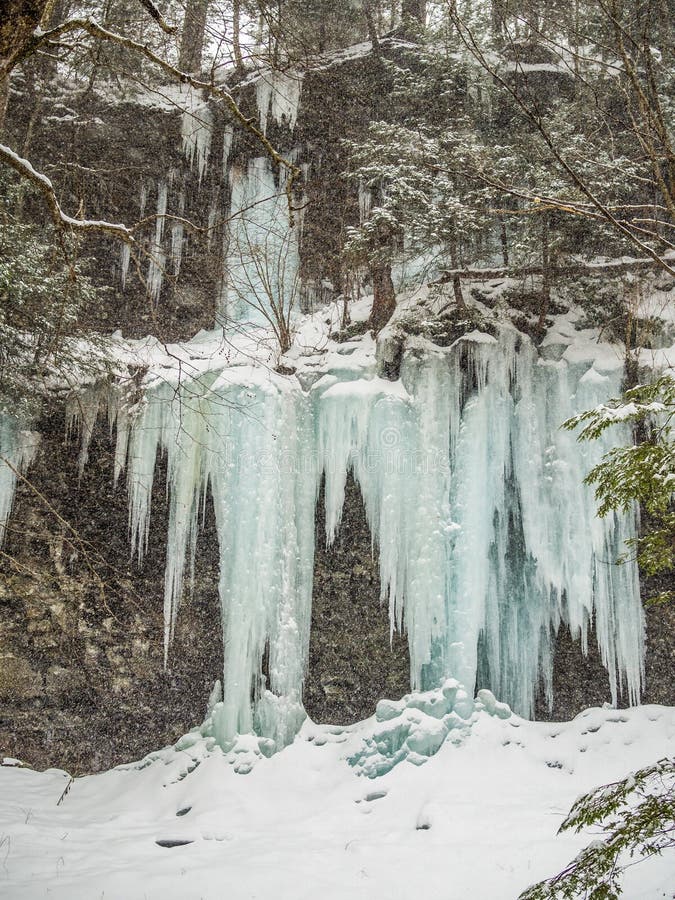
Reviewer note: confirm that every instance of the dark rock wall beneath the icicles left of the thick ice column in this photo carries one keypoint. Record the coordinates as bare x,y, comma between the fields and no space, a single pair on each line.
82,683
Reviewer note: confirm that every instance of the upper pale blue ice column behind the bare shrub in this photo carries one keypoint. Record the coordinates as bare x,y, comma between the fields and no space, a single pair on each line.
261,280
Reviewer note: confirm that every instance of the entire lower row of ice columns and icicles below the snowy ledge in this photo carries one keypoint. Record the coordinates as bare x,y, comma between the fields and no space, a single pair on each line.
488,539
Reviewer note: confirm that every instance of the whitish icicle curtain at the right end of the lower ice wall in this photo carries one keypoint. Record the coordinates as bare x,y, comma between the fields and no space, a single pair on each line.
575,551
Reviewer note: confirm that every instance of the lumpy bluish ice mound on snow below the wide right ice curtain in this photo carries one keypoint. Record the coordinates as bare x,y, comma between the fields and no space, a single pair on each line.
416,727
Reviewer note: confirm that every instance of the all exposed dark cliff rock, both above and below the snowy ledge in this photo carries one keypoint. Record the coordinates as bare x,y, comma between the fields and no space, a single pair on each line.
82,683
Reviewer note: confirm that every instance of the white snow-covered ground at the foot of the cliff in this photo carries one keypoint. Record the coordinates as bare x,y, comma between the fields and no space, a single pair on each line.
478,820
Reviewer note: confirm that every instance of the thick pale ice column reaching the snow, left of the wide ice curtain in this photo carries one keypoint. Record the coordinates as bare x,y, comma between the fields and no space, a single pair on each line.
264,499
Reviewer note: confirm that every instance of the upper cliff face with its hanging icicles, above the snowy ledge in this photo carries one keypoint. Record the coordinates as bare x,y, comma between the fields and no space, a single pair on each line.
159,155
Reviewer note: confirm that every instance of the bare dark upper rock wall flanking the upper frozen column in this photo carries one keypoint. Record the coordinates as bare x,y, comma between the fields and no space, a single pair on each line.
100,151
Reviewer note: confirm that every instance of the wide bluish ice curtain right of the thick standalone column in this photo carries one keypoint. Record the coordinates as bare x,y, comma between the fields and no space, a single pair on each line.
488,536
